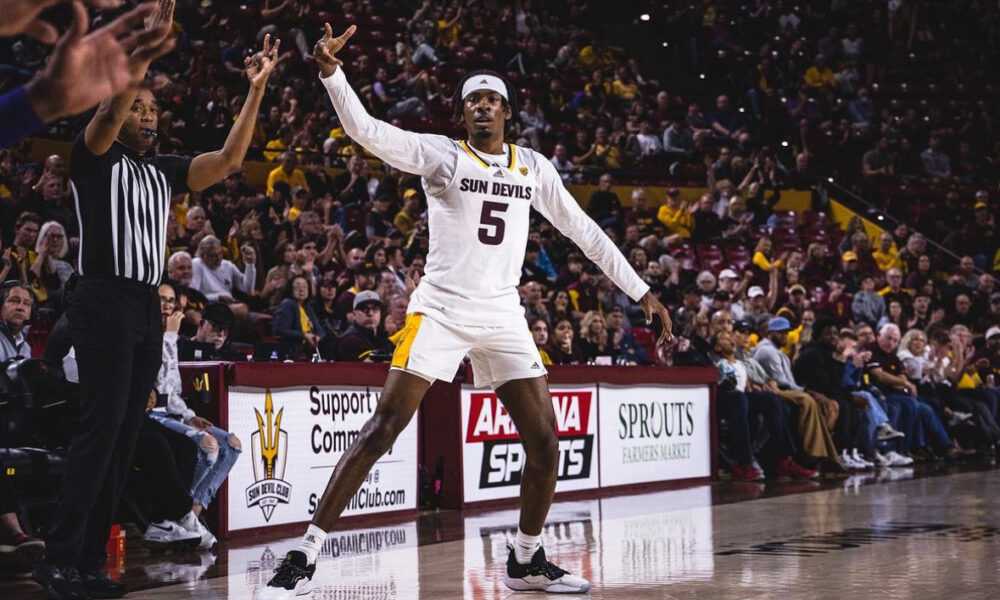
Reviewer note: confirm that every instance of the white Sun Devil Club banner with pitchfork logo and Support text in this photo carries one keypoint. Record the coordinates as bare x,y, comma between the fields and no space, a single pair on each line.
292,440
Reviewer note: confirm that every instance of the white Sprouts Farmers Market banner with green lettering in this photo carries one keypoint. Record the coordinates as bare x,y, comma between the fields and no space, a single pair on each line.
654,433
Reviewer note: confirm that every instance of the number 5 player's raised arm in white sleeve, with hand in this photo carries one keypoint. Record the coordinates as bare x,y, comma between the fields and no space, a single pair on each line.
416,153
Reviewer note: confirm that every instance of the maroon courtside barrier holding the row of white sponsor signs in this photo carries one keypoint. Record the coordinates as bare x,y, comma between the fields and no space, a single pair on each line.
619,428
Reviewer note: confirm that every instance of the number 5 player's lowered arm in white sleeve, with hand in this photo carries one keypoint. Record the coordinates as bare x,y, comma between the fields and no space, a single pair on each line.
558,206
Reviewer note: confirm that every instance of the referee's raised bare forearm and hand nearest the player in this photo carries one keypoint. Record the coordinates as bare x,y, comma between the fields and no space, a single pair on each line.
207,169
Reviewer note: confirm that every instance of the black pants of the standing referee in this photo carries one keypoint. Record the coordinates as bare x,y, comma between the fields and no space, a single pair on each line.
117,335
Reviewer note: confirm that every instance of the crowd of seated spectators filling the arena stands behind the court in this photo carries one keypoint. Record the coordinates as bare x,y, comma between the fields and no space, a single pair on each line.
848,348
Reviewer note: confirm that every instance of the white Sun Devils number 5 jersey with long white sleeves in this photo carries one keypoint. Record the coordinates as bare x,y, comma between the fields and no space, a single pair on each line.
478,209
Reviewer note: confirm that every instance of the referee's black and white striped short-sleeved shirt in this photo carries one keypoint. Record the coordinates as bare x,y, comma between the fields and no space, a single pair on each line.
122,203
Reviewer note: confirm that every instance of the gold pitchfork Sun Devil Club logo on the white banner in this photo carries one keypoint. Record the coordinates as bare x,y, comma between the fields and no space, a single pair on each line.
270,451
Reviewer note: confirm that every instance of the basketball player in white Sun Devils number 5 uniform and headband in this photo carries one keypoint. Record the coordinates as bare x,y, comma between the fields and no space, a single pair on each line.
479,193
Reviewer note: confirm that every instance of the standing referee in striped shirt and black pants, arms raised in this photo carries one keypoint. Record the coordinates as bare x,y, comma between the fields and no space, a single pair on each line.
122,191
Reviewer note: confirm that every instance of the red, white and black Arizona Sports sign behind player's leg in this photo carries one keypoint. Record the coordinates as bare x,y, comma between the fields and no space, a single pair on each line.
492,455
